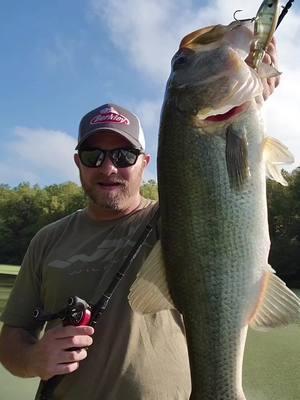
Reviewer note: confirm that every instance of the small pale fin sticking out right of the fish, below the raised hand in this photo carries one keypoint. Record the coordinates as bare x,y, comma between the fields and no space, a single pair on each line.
276,155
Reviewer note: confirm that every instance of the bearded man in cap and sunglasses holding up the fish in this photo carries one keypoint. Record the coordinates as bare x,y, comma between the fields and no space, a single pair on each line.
128,356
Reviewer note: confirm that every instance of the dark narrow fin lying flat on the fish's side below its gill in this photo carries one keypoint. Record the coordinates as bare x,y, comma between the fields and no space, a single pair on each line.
237,157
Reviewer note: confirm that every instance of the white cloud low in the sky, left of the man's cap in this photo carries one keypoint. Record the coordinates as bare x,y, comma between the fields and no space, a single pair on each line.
36,155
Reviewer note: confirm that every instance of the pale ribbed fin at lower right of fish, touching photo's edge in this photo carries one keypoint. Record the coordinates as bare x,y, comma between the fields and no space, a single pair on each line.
278,305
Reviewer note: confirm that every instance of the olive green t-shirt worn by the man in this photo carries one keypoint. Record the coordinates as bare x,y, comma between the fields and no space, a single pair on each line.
133,357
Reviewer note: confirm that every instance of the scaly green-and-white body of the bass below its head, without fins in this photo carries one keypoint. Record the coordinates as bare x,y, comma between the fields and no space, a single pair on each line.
215,243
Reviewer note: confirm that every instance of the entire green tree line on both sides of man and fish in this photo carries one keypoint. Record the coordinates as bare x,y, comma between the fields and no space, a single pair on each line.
24,209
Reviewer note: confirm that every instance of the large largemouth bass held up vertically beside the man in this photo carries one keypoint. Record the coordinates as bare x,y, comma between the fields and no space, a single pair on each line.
212,260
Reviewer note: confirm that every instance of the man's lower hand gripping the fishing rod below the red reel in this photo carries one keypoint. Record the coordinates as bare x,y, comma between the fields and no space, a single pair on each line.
50,355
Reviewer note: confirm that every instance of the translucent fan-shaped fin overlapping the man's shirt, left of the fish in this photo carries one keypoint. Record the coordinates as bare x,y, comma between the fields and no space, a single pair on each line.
149,293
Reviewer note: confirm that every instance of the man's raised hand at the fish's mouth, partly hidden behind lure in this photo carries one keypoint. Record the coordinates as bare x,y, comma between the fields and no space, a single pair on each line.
270,58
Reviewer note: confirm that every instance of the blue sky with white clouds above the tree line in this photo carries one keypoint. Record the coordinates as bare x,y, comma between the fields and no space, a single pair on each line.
61,58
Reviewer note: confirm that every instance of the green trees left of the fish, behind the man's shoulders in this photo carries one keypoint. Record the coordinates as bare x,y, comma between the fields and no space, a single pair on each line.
25,209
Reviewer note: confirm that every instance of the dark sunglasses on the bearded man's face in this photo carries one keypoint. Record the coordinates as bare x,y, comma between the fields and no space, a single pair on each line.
121,158
